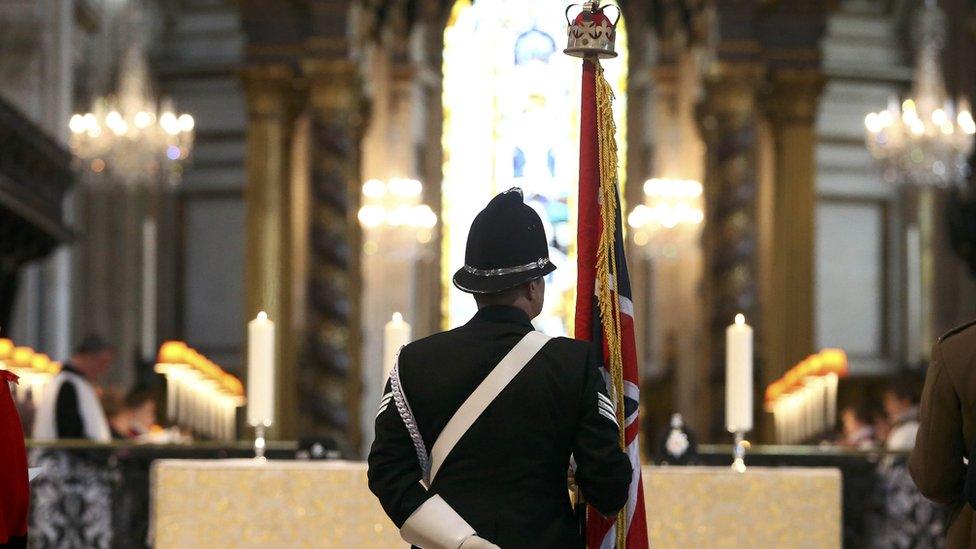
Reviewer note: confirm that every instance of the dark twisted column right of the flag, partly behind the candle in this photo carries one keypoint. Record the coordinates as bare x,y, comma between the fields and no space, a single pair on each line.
728,123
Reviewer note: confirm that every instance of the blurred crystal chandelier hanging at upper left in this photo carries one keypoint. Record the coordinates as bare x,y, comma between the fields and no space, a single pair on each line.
130,136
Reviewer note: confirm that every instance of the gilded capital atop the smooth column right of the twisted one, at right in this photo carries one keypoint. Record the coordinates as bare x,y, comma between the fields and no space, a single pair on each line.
793,95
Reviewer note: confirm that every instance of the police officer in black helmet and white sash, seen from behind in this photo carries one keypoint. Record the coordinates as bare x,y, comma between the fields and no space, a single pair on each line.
477,425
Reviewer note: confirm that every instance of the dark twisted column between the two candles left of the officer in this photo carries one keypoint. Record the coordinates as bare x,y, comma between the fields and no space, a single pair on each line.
331,378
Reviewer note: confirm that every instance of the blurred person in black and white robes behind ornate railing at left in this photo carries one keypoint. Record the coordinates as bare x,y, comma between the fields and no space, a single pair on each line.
72,499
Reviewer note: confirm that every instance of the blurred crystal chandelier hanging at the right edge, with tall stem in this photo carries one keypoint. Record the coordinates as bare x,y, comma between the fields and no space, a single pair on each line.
927,138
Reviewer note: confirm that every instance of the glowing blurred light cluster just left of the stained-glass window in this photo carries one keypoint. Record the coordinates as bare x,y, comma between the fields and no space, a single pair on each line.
395,205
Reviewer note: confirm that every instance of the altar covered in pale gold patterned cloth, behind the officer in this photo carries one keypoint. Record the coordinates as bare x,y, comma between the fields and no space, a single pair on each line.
244,503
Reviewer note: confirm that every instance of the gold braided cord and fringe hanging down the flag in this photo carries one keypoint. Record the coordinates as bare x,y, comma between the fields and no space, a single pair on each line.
608,297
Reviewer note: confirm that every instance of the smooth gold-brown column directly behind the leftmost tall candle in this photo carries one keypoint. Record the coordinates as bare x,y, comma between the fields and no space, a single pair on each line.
268,91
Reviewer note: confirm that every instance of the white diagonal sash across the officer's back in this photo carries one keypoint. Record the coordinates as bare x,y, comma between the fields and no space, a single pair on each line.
485,394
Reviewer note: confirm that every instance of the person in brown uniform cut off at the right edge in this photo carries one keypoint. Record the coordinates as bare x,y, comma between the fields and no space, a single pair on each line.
947,432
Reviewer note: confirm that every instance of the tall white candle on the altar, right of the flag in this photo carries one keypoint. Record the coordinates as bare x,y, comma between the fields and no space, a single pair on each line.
738,376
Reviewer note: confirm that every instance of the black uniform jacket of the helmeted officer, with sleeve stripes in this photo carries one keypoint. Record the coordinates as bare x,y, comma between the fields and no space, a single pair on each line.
507,475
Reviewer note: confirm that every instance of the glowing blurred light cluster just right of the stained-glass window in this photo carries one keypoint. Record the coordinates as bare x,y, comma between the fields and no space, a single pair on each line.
671,214
